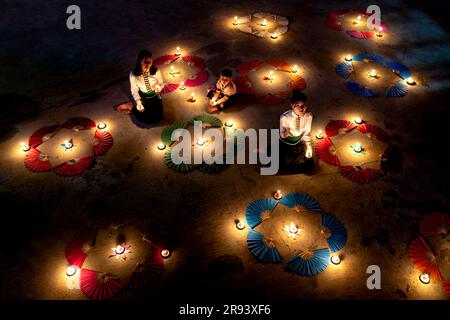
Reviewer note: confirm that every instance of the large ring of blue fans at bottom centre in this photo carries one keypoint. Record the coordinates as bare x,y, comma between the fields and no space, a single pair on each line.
308,262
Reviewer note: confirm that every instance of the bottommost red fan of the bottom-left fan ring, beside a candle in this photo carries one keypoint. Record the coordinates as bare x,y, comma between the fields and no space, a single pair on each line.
98,285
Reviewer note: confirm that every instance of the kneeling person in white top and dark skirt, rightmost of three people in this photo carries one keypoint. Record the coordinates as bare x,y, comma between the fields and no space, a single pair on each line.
295,131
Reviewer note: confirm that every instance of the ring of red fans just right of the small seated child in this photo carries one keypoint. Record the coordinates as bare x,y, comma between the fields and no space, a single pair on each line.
245,86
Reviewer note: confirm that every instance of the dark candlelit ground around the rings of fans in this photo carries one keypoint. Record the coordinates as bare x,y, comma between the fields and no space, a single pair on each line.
50,74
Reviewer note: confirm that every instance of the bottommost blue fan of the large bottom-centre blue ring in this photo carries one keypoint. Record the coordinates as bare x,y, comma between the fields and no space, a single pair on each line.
310,263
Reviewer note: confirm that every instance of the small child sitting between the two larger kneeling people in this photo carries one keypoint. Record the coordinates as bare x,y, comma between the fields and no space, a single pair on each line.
222,95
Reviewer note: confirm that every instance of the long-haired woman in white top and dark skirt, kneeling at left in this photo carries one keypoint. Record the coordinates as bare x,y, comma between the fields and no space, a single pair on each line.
146,84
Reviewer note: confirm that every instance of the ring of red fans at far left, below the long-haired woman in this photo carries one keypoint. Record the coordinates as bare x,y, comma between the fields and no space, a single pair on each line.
38,161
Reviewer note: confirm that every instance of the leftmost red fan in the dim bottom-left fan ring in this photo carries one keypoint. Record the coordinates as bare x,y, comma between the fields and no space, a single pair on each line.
76,247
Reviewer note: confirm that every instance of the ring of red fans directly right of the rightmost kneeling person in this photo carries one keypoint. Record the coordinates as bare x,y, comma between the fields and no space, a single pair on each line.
327,152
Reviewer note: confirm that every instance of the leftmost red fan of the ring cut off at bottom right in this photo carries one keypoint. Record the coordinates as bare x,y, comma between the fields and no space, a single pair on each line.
423,258
